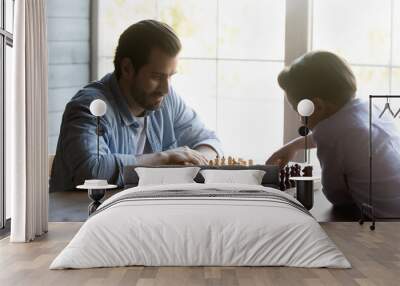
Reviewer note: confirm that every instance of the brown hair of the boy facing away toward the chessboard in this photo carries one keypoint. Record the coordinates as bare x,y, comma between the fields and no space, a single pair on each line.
319,74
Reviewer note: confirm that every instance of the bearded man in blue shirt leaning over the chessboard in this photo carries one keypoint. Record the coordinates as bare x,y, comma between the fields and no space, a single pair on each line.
146,122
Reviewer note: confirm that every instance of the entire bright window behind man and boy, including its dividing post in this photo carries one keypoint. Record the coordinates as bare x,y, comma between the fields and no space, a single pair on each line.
233,51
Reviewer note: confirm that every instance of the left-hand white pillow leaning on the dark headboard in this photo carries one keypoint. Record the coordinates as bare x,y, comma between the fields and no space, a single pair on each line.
163,176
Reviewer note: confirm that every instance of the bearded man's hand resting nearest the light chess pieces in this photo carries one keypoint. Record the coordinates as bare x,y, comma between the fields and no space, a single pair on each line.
184,156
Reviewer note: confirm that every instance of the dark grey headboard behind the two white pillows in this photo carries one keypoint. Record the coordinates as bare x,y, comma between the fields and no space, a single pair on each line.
270,179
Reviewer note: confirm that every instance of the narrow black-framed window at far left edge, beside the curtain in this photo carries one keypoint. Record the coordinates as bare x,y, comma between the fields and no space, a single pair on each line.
6,43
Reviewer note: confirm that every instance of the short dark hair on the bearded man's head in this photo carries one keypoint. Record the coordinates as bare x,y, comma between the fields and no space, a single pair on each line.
139,39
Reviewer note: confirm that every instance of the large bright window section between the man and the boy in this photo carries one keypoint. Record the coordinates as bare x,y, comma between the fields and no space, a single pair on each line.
232,53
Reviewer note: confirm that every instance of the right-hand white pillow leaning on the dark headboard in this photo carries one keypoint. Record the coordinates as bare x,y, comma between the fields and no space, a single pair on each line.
249,177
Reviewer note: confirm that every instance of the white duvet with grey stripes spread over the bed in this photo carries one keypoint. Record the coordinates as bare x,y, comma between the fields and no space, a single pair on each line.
200,231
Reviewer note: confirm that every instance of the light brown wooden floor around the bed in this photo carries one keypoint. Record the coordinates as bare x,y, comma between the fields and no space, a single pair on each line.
374,255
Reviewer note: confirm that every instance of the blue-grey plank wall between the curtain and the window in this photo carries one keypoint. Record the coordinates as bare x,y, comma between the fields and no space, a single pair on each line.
68,29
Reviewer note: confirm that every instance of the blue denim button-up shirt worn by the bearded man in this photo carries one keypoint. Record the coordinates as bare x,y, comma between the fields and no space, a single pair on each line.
174,124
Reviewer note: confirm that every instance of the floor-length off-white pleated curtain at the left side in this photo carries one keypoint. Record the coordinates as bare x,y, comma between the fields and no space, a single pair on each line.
26,117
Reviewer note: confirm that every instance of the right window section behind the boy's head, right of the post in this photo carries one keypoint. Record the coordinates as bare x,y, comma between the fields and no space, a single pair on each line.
366,34
